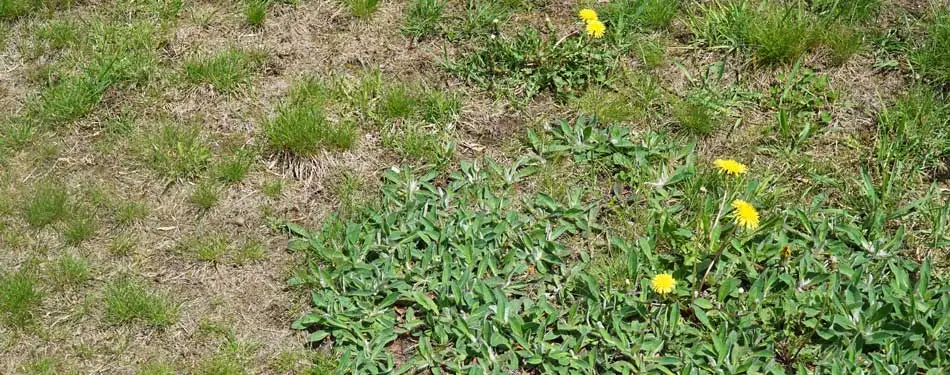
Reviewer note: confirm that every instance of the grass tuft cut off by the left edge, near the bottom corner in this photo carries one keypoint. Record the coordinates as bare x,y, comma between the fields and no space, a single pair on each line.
19,298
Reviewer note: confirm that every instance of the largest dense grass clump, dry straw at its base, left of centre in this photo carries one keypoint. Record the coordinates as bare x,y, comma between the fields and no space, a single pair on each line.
301,126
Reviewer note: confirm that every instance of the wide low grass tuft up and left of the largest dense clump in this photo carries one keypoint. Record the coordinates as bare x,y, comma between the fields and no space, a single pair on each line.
225,71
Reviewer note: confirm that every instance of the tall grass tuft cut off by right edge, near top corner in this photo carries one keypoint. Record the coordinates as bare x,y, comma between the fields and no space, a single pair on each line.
932,56
